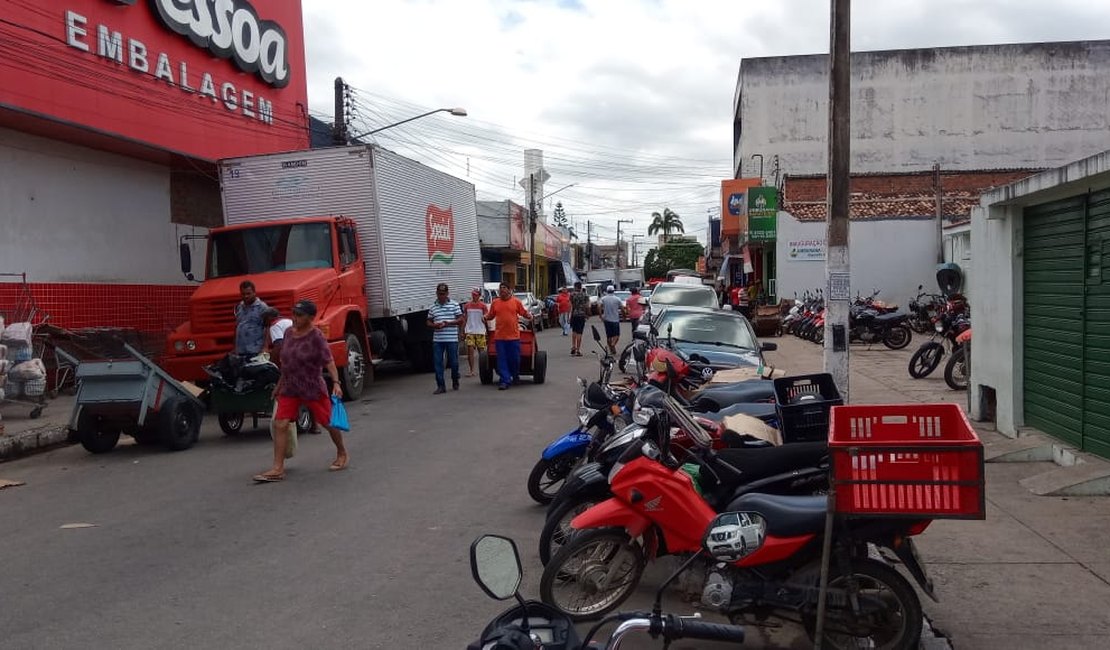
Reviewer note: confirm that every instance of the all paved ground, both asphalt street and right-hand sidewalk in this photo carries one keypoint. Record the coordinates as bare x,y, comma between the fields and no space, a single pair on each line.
185,552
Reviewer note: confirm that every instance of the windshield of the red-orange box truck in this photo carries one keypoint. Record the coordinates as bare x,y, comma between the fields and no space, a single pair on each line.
279,248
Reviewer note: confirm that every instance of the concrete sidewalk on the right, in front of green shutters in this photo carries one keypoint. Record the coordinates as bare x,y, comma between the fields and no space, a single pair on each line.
1035,574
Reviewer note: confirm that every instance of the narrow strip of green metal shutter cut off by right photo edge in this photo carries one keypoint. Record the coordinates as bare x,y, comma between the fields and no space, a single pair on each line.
1097,339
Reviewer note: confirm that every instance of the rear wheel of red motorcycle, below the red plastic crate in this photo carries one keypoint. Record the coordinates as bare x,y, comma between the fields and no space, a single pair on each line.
896,627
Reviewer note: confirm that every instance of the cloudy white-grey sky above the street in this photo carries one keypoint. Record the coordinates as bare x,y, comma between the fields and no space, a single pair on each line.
631,101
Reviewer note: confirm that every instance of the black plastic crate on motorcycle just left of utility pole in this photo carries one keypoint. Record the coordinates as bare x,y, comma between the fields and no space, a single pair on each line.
804,403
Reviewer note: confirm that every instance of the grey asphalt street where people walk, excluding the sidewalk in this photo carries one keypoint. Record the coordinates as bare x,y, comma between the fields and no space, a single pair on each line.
186,552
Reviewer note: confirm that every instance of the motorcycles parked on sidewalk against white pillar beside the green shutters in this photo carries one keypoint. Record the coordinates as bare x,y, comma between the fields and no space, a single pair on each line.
950,319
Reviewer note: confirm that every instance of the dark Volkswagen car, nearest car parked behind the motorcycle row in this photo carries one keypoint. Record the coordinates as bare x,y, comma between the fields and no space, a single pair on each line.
723,337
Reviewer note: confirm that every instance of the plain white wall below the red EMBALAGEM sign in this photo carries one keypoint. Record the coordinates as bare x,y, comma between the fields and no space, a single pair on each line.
76,215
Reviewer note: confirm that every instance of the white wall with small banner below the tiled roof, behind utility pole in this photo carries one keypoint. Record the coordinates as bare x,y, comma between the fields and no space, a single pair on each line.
892,256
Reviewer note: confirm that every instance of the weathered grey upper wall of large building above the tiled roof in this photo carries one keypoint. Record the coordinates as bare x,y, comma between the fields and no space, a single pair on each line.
971,108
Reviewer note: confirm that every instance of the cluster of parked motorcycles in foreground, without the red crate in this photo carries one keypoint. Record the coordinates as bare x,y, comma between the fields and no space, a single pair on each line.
652,472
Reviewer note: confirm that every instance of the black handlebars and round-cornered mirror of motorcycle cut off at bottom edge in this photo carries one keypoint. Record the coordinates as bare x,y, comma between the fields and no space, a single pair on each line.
496,565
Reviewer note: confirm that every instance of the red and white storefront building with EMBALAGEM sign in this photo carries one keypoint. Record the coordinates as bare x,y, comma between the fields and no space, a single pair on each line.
113,116
